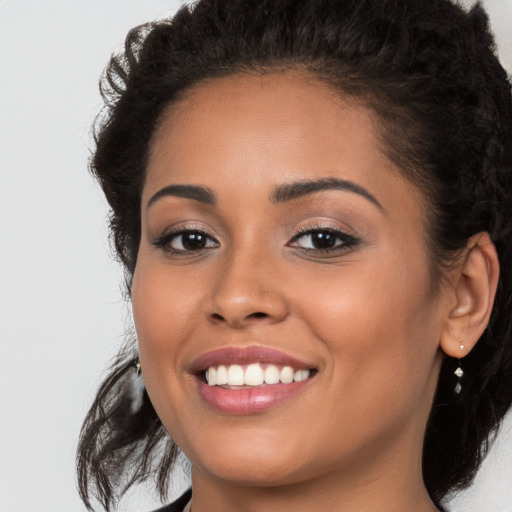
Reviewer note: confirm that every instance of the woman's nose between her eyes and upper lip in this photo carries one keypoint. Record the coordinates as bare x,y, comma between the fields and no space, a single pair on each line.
246,291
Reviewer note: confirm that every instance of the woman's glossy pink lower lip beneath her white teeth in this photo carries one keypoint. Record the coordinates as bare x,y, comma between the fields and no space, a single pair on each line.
249,400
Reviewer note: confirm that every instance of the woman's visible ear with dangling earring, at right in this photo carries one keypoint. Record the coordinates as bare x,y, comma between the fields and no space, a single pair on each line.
475,283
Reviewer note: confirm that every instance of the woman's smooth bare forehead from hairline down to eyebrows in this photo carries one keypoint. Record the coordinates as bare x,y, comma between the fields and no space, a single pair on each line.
242,132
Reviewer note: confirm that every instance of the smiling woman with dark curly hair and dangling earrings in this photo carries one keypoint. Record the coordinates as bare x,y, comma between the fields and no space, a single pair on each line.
311,201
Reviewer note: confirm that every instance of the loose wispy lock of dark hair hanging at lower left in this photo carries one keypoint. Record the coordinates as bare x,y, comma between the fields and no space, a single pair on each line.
122,445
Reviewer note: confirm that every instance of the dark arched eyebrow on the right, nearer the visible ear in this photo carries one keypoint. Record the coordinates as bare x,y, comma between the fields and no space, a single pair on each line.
297,189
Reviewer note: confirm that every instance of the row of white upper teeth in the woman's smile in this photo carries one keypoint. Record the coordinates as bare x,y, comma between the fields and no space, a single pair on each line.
253,375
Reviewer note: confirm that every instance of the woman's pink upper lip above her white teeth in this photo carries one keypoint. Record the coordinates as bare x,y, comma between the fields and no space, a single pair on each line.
246,355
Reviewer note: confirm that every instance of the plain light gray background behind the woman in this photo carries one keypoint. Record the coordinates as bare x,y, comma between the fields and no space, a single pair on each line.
61,307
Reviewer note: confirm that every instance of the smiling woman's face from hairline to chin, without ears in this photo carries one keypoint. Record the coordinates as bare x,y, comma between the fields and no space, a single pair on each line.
277,242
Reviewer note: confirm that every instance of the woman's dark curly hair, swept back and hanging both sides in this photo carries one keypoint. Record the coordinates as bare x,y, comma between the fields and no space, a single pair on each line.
428,70
